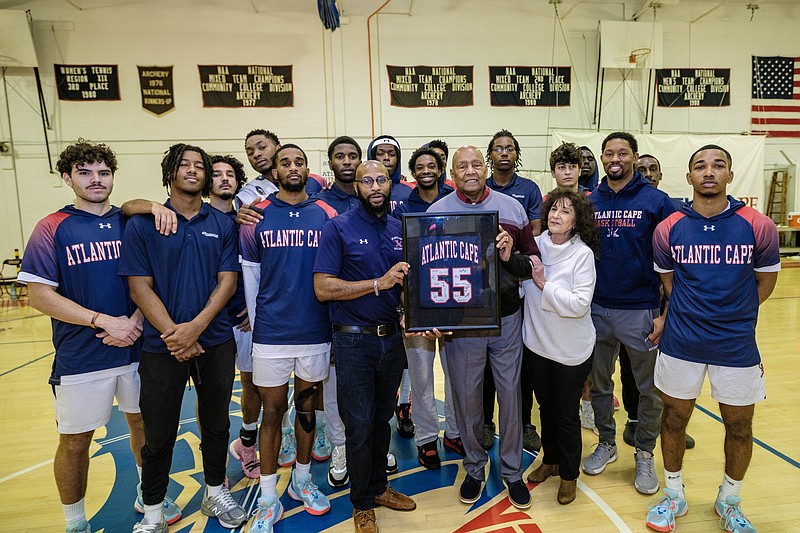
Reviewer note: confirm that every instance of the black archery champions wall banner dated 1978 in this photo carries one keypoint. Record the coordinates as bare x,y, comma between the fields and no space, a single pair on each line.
424,86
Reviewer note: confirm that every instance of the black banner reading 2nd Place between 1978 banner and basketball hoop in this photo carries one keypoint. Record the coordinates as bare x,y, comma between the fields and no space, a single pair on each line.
530,86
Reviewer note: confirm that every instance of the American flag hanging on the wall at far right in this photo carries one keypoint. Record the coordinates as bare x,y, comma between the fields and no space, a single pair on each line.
776,96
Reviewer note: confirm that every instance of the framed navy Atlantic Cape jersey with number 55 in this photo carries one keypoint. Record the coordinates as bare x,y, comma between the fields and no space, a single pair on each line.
453,279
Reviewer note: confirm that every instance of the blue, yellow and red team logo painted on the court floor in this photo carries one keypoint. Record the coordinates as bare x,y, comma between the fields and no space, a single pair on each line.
489,514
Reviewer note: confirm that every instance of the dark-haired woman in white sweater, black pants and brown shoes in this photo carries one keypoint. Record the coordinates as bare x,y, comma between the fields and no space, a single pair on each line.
558,329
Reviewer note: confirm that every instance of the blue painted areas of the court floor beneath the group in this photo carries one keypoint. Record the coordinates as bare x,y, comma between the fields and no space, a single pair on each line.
117,514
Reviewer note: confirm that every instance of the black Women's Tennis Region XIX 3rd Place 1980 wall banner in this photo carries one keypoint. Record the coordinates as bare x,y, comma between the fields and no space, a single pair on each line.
83,83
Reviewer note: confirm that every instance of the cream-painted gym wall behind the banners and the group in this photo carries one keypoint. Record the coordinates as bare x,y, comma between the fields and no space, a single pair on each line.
331,81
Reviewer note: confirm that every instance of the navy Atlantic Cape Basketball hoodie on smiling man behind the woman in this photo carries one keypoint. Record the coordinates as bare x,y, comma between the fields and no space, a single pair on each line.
626,222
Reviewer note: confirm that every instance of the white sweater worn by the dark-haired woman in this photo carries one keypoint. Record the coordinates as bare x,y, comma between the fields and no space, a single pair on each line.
558,320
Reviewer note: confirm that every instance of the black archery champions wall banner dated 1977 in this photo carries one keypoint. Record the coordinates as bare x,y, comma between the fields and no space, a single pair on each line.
246,85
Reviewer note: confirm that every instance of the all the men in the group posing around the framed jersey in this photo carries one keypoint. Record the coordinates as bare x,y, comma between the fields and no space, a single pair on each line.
140,305
